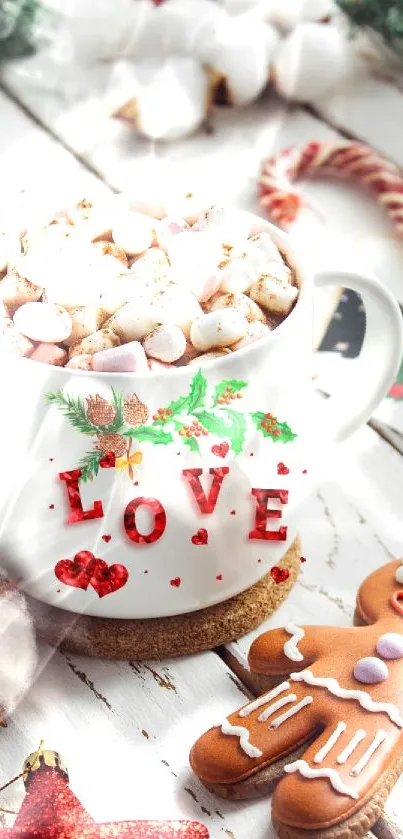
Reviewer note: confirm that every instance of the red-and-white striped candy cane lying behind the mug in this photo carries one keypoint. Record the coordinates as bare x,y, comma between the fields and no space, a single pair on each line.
342,159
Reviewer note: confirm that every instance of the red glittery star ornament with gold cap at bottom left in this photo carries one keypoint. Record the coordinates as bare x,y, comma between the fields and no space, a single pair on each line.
50,810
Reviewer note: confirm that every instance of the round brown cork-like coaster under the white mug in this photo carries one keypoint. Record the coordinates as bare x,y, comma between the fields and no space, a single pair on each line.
170,636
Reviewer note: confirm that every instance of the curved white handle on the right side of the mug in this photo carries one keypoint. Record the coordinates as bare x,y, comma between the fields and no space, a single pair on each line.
375,369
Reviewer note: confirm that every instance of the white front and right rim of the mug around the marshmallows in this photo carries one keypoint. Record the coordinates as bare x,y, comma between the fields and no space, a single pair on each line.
281,238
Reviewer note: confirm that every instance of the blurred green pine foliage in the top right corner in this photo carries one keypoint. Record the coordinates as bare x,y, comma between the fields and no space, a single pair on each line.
385,17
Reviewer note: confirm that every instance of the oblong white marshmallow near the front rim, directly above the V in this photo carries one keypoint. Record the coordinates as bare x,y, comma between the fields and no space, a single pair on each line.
218,329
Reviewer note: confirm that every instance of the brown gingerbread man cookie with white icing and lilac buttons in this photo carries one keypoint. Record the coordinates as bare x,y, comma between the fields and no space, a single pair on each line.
330,726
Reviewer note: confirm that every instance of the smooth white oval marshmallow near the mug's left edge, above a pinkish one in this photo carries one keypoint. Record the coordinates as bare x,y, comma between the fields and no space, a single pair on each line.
43,322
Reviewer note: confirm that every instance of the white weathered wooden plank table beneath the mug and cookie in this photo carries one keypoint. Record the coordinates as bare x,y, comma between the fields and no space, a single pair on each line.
125,729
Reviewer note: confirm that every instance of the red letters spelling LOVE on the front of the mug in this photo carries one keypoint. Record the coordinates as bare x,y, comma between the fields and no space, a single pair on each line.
206,504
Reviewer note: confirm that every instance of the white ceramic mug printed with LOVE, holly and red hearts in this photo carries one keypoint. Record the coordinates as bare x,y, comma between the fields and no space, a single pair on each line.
176,522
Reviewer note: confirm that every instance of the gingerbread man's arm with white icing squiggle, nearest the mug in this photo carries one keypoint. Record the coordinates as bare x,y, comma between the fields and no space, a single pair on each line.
279,651
